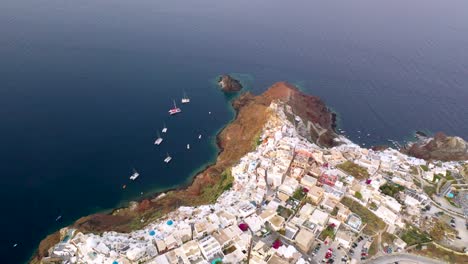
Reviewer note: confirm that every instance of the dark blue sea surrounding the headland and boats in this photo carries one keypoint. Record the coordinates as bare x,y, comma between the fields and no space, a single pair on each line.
85,85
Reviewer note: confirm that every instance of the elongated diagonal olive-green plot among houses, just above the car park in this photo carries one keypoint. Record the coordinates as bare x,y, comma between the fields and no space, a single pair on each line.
373,223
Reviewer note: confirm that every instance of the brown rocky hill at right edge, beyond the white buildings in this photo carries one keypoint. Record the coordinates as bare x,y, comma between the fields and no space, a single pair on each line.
440,147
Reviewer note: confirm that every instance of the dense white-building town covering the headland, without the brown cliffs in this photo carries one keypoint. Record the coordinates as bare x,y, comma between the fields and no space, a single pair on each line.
292,201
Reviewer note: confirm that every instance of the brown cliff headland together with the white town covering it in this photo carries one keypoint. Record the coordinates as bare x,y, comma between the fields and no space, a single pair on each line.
285,189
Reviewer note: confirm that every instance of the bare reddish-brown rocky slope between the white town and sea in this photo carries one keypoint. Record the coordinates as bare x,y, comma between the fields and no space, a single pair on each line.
238,138
